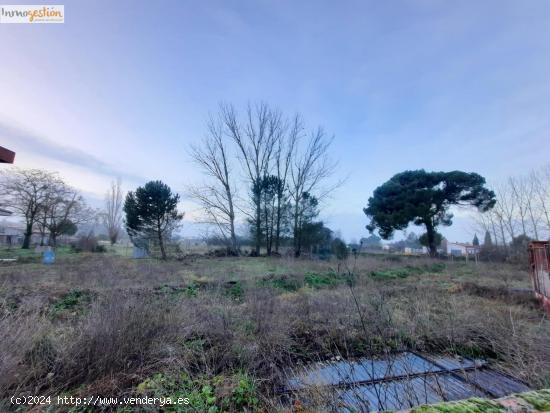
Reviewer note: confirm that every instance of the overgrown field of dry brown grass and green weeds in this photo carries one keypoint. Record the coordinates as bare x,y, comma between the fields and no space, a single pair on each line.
221,331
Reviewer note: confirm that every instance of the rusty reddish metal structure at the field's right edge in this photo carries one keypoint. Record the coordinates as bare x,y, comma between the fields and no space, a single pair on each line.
539,262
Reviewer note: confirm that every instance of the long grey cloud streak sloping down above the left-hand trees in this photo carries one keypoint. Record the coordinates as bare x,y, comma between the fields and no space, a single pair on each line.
25,141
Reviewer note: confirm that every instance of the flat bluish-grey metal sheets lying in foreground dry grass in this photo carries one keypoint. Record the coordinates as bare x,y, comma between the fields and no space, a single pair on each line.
401,381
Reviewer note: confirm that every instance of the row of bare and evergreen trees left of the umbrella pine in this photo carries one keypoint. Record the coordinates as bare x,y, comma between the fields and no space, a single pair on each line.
261,169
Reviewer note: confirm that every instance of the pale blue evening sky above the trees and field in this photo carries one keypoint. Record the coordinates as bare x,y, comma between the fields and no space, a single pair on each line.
122,89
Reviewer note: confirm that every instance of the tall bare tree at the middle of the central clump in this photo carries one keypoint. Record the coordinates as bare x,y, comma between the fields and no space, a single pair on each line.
256,139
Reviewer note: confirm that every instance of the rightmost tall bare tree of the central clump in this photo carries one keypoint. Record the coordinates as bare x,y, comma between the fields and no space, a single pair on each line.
308,173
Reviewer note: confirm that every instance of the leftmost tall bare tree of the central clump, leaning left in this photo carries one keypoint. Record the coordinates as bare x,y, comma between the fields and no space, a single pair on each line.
217,198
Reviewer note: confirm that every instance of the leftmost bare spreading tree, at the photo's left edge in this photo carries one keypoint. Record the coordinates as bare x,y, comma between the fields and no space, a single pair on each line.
27,192
